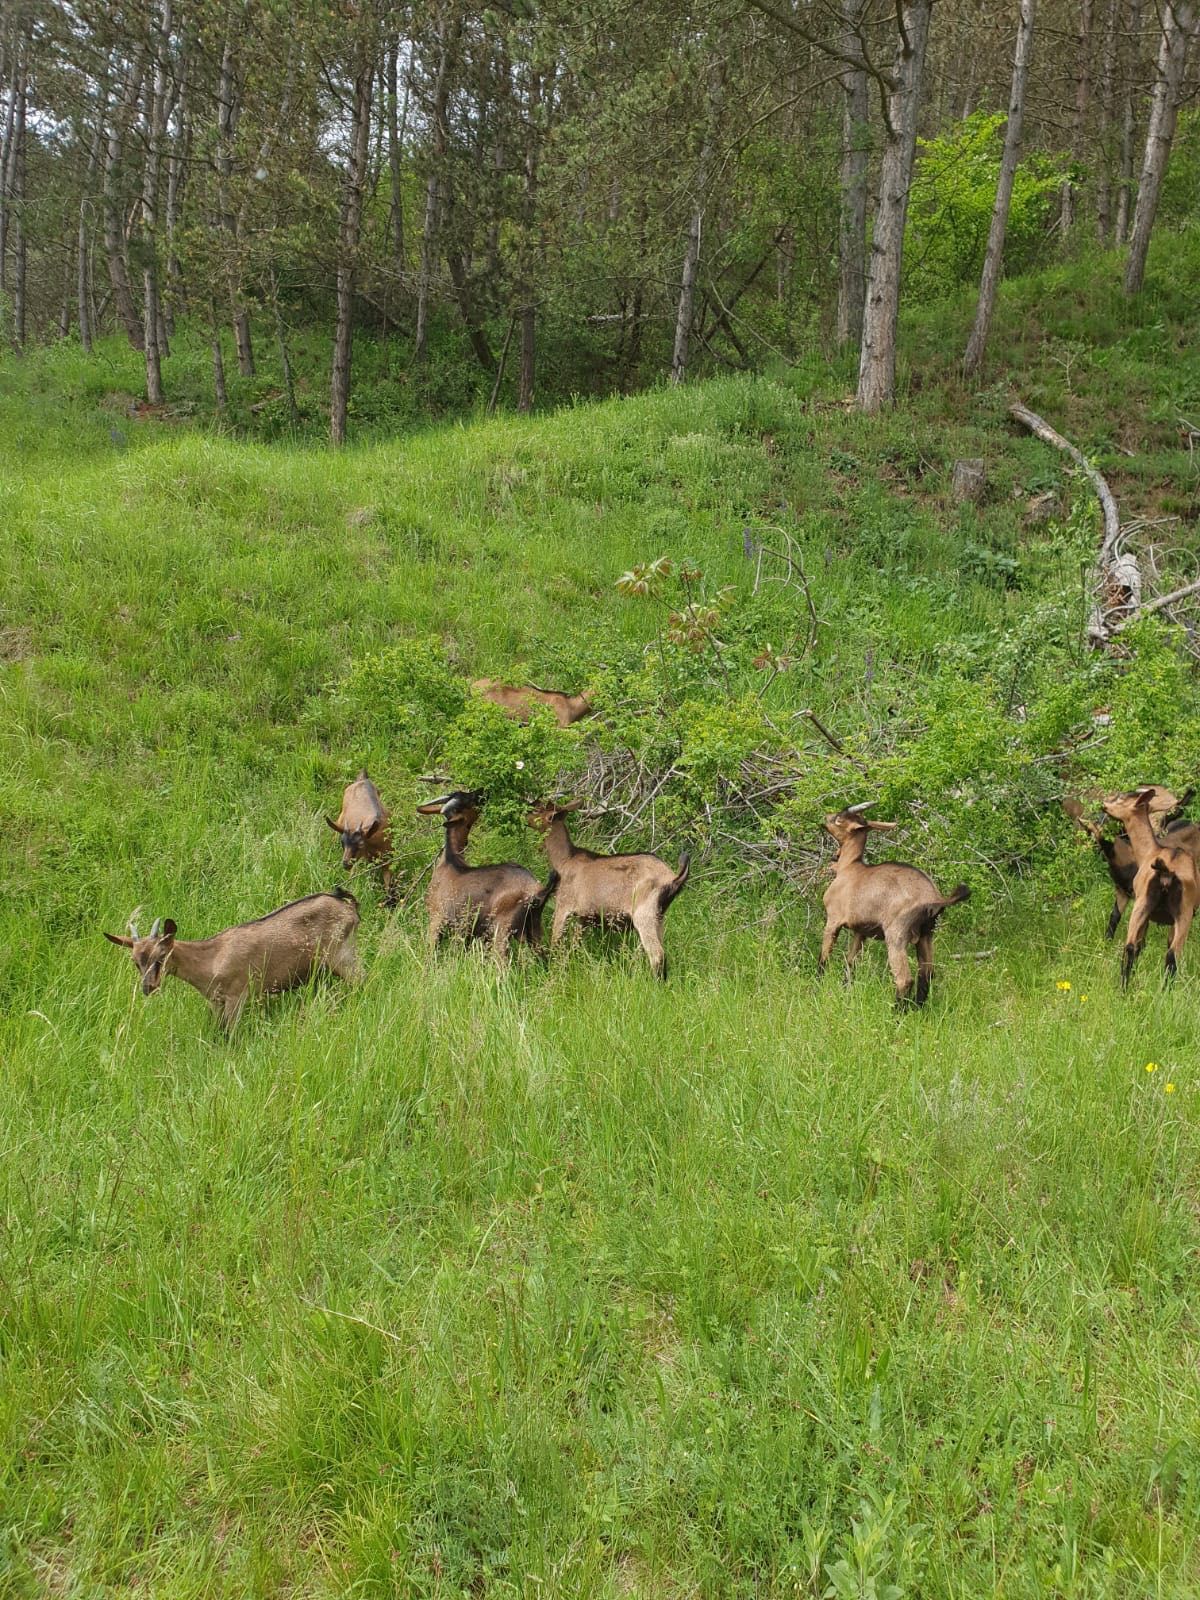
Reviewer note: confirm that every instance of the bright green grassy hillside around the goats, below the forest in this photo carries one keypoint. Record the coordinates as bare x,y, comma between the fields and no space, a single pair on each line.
562,1282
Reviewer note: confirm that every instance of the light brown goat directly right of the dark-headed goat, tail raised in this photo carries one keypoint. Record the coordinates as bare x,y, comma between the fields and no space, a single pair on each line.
623,892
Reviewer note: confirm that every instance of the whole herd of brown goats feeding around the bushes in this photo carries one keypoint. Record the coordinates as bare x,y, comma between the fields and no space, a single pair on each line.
505,903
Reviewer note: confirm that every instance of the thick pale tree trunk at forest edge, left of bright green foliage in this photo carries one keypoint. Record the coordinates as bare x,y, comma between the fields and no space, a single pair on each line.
878,362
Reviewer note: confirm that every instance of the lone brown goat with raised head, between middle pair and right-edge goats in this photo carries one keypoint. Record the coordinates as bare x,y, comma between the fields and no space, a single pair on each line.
890,902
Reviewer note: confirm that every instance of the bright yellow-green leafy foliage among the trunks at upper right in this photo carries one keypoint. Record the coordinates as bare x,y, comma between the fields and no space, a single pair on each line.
951,207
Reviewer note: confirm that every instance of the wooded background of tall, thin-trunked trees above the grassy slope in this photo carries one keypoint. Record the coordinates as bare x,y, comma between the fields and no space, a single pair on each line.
577,199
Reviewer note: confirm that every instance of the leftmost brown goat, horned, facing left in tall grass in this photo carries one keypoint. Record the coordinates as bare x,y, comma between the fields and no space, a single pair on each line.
268,956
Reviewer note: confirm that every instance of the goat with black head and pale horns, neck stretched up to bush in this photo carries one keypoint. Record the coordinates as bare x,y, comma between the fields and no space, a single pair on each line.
503,903
